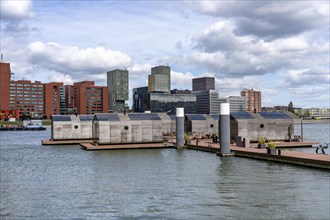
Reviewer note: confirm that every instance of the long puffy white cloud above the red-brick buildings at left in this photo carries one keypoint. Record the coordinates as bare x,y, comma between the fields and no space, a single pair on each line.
74,60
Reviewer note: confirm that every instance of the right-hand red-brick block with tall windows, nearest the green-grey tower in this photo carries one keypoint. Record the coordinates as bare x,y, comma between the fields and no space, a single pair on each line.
86,98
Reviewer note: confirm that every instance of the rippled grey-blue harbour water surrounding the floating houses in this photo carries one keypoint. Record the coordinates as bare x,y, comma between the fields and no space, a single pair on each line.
65,182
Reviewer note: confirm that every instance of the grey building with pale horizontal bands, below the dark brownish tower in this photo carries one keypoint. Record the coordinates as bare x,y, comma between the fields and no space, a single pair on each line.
207,102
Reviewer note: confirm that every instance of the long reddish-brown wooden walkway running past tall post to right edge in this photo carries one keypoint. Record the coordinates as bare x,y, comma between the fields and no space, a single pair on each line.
289,157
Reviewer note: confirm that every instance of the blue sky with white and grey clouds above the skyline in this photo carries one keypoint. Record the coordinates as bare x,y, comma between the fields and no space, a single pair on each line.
278,47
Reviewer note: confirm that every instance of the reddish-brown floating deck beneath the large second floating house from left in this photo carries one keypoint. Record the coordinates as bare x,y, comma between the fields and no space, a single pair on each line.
92,146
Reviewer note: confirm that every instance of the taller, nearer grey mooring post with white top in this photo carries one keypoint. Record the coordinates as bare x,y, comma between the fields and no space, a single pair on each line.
224,129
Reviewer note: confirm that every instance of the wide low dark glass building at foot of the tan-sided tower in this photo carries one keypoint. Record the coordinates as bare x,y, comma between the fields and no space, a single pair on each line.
160,102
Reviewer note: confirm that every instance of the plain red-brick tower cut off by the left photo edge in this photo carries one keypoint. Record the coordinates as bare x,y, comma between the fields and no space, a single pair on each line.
4,85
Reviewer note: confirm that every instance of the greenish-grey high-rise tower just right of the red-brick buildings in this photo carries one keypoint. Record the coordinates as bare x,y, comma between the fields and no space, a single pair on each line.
117,82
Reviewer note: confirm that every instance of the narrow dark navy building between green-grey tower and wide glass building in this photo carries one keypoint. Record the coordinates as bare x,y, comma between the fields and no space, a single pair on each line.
141,99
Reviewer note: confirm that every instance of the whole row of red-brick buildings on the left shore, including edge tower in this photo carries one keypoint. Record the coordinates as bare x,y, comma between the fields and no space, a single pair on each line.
46,99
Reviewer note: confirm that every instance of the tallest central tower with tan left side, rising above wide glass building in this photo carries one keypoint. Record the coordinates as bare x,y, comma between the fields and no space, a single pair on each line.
159,81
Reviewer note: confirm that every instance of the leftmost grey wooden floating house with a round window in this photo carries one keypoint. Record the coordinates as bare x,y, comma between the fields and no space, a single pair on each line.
71,127
